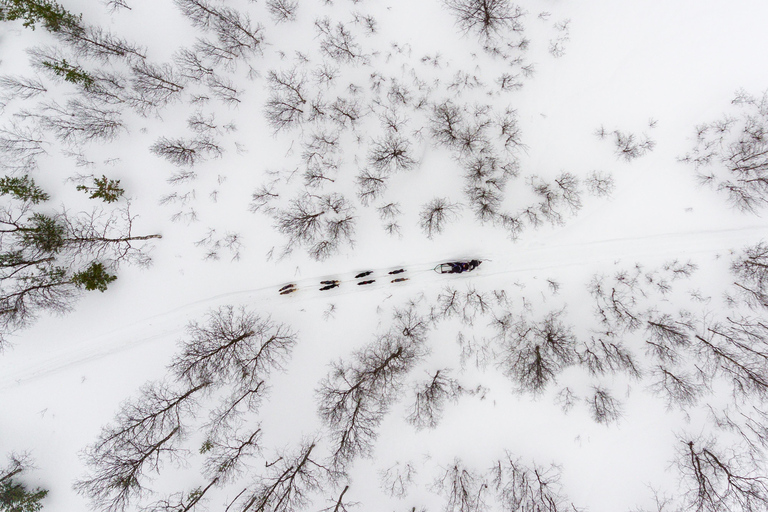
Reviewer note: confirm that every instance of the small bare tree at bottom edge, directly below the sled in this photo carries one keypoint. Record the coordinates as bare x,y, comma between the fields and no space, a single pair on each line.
463,489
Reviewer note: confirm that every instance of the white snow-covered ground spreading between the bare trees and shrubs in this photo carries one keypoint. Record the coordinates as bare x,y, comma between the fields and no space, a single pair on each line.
655,68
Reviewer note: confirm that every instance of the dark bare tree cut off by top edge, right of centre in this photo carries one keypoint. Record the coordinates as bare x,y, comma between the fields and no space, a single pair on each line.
489,18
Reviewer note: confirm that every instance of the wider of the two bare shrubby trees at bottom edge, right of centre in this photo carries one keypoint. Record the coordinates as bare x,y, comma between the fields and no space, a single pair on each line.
520,488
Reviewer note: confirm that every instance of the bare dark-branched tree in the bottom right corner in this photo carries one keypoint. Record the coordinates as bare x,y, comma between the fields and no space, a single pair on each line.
716,479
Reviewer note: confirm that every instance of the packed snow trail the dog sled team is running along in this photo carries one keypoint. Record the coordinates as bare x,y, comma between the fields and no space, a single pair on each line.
497,268
